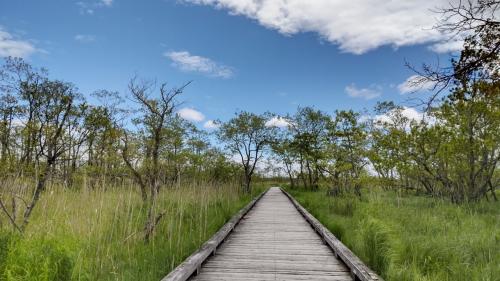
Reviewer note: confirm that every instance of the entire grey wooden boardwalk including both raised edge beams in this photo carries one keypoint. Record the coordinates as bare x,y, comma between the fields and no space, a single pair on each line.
273,238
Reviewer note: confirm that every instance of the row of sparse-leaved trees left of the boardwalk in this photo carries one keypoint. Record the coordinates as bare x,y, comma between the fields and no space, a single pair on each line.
51,134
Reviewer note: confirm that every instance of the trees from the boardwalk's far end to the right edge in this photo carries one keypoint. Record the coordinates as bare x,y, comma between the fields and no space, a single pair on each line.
451,150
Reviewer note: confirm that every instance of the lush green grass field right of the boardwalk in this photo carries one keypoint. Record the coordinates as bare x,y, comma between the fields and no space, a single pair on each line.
405,237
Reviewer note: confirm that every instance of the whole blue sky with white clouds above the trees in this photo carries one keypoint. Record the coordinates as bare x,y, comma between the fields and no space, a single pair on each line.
240,54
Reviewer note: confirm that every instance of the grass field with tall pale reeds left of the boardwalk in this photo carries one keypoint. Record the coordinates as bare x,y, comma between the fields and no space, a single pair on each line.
97,234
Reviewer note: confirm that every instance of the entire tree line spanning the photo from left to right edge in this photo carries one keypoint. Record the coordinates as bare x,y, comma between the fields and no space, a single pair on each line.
50,133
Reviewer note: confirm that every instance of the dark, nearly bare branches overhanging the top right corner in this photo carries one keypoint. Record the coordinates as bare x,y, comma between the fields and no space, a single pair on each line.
477,22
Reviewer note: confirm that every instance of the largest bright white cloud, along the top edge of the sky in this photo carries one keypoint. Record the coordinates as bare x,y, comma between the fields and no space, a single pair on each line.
356,26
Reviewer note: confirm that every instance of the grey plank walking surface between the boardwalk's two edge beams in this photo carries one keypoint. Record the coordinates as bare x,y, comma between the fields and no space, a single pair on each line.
273,241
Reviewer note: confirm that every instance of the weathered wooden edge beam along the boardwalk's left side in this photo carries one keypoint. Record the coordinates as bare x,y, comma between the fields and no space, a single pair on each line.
193,263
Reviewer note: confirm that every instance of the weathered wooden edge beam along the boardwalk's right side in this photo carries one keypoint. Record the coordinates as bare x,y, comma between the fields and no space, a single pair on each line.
358,269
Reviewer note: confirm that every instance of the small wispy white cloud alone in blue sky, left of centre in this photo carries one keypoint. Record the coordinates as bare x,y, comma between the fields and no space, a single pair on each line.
191,63
